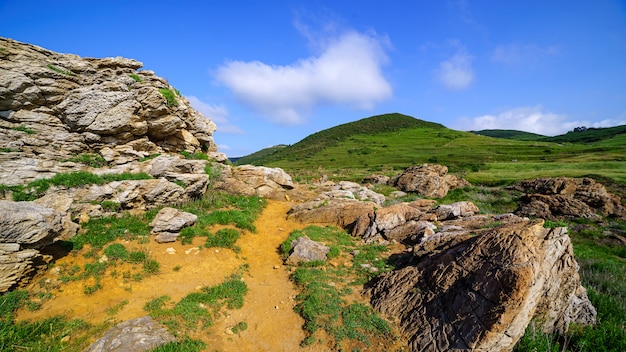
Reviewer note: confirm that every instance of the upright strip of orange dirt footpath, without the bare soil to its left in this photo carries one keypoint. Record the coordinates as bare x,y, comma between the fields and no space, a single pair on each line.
272,323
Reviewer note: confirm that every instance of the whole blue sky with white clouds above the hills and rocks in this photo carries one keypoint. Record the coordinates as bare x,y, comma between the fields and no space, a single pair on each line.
272,72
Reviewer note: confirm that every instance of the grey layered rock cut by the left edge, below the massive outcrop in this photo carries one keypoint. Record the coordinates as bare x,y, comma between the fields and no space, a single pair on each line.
25,228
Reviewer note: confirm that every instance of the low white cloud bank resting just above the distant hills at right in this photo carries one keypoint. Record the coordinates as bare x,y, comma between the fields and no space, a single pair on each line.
527,118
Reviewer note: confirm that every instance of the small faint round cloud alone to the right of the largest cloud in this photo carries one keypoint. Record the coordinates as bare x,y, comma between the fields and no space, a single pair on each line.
456,73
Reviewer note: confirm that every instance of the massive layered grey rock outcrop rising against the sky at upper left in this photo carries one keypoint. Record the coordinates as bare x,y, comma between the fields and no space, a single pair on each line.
56,107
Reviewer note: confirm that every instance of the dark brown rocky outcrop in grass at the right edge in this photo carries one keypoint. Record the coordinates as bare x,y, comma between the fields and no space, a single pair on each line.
568,198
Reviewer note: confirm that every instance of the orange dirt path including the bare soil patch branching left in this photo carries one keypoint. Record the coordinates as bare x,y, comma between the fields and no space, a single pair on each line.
272,324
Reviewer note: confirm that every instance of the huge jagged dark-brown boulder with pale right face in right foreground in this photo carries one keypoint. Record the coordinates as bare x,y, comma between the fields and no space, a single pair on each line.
479,289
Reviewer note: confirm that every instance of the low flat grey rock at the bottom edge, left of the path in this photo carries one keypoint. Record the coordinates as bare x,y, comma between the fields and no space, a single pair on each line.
135,335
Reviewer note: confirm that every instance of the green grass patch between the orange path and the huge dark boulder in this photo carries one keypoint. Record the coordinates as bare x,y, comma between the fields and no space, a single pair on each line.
323,287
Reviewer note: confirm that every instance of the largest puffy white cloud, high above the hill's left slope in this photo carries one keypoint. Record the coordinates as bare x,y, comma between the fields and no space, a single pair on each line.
347,71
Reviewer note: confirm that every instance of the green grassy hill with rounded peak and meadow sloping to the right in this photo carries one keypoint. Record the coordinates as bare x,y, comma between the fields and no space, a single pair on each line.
392,142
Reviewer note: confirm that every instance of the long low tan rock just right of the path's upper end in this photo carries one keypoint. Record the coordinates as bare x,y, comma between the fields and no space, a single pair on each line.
340,212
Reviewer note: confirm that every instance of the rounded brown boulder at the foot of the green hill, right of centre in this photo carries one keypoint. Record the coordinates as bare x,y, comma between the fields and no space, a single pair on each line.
428,180
